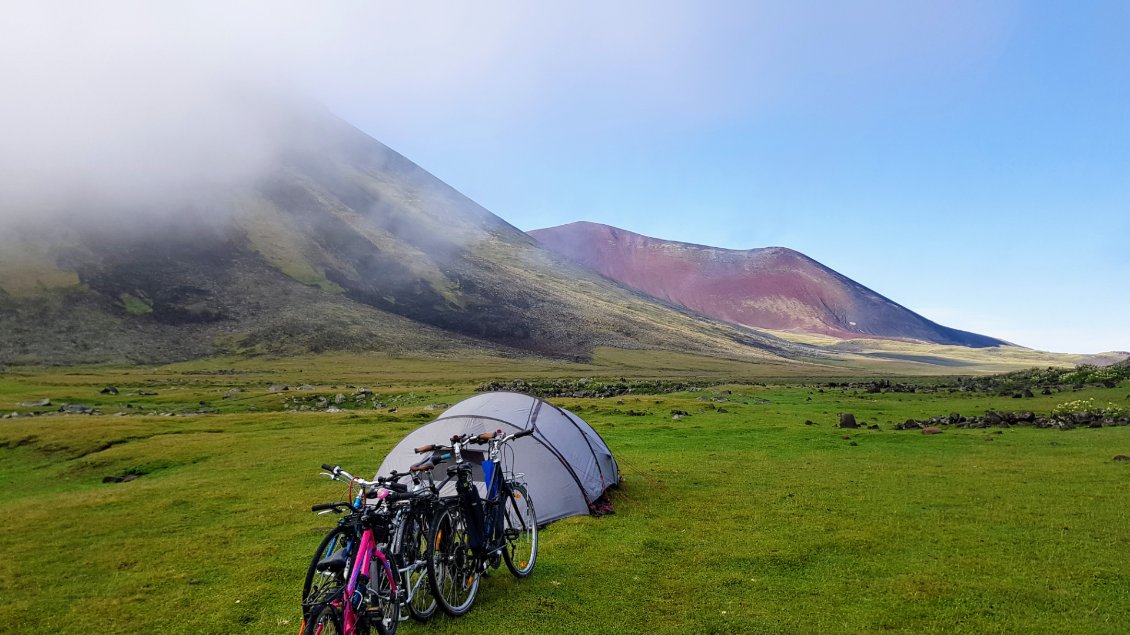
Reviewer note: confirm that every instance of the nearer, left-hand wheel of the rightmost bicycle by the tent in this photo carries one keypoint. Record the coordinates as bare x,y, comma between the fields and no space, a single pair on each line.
451,567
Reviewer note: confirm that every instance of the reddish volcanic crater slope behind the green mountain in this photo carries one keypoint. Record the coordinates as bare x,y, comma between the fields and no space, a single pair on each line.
769,289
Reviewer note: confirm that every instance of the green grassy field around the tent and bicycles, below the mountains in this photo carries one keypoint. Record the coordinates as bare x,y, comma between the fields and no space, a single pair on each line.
738,518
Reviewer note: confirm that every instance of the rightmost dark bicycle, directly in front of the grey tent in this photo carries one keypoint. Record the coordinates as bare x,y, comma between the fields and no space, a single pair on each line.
471,534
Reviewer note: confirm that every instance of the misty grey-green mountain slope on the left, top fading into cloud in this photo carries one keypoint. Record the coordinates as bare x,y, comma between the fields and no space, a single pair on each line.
342,245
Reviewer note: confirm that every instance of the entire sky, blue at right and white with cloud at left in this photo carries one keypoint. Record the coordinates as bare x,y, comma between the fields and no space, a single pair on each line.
968,160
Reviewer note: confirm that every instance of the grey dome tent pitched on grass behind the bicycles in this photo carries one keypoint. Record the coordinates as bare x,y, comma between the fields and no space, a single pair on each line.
568,466
